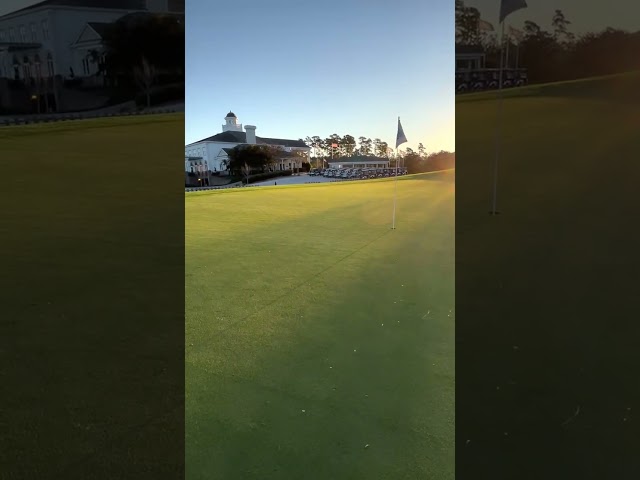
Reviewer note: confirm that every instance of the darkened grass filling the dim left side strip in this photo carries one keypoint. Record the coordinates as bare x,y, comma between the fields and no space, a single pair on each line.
91,230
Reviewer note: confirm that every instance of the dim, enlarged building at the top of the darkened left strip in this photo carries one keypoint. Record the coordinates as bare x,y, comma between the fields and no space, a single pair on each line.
53,40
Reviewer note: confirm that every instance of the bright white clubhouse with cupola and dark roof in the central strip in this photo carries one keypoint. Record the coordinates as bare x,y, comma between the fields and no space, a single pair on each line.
211,153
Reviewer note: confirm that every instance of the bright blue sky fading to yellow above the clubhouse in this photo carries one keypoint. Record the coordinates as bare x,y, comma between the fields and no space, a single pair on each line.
299,68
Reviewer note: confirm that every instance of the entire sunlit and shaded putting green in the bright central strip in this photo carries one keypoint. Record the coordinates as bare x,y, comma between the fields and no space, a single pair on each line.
320,343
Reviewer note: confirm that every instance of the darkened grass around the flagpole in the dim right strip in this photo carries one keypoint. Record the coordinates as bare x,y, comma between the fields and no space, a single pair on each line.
540,286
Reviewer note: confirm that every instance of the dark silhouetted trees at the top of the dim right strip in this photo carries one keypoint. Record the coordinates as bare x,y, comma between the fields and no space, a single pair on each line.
552,52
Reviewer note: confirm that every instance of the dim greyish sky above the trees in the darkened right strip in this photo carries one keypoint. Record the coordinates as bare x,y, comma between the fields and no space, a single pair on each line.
585,16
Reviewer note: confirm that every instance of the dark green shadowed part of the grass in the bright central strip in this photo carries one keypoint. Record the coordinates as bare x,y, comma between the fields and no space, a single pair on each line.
319,382
